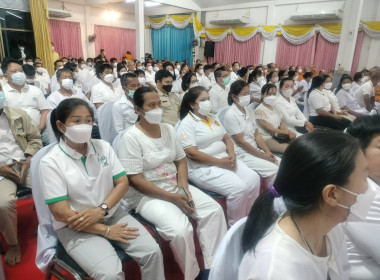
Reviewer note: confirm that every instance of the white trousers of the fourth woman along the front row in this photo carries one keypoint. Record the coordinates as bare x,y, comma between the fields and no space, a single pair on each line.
266,169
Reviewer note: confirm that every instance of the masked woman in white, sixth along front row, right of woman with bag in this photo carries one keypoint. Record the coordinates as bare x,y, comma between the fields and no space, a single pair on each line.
291,115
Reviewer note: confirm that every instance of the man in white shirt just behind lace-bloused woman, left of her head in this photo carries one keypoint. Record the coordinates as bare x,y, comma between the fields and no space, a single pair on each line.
123,112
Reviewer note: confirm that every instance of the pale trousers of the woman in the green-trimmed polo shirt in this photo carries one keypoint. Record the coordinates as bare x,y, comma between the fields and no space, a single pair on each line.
98,258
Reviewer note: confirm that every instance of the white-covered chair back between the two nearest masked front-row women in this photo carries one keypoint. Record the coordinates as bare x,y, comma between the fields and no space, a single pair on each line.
105,122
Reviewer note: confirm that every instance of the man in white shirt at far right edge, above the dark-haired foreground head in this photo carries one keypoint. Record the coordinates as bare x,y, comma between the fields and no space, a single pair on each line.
365,94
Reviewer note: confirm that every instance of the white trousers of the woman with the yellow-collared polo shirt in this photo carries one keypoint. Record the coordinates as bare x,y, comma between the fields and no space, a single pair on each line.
241,187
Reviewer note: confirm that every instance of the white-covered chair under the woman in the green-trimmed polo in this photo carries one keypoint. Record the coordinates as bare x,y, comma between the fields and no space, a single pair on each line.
51,257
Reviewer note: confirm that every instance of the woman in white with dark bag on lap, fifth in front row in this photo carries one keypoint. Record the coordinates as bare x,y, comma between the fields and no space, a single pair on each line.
270,121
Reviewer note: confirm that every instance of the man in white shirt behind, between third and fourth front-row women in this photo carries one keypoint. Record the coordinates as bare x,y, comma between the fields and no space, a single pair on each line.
219,92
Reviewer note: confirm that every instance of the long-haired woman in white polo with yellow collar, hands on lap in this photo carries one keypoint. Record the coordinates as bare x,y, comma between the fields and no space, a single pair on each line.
211,157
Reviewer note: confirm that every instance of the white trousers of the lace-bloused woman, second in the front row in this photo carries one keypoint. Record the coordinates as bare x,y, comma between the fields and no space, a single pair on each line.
173,225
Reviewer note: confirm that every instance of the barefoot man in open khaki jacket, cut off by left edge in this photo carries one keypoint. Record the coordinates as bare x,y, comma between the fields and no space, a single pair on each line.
20,140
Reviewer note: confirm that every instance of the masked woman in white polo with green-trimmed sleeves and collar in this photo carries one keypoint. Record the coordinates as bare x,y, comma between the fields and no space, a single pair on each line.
83,182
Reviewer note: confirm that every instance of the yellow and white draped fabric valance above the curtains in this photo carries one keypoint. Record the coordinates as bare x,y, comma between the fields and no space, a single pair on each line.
294,34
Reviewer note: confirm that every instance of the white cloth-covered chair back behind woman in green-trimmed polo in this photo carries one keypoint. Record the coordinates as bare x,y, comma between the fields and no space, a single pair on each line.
46,236
